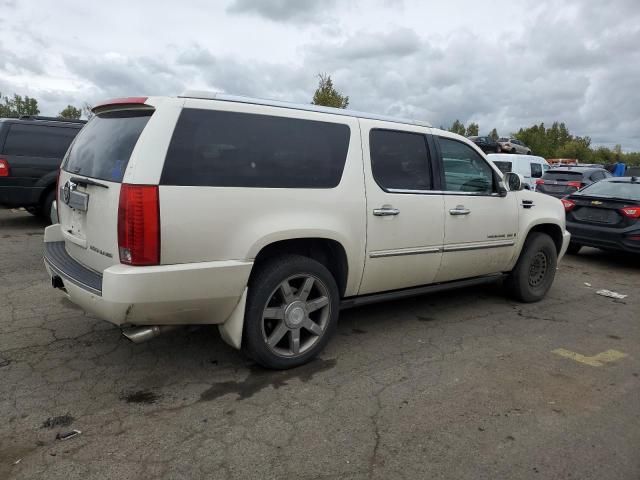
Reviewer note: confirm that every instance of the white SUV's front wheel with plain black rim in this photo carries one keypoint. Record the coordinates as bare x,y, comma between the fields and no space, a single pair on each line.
535,270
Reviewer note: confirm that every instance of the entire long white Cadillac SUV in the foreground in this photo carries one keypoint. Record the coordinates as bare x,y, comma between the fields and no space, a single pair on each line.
266,218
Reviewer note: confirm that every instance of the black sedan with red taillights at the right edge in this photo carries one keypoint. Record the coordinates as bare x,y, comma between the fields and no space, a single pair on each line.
606,215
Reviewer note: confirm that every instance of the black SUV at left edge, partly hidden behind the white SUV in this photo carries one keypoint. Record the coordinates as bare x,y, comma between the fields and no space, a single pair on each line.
31,150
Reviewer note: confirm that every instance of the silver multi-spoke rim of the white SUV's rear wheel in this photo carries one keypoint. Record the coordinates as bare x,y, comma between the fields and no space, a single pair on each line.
296,315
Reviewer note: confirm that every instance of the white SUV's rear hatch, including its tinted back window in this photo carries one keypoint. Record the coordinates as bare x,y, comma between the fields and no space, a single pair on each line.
90,183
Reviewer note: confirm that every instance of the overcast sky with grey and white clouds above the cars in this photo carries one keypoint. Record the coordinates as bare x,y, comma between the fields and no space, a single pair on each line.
503,64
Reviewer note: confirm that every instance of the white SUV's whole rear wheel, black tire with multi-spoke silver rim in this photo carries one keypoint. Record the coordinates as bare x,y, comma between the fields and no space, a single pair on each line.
292,311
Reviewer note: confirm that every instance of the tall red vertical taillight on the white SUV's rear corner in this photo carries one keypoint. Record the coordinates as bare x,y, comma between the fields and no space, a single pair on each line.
139,225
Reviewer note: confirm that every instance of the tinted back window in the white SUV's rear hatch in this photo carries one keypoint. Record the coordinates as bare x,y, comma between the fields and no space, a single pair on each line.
103,147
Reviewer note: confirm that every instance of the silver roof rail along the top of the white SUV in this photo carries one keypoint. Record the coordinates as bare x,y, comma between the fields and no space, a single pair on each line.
197,94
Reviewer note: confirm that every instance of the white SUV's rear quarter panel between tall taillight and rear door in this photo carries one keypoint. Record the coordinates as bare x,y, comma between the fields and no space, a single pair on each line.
235,223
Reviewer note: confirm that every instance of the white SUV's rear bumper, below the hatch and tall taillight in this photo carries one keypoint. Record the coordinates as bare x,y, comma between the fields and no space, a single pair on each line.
190,293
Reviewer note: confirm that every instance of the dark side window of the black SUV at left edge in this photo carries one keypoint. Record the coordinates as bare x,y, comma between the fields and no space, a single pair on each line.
39,140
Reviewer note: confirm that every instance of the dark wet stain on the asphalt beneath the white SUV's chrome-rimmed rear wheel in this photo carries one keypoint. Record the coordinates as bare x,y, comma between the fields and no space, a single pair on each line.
260,378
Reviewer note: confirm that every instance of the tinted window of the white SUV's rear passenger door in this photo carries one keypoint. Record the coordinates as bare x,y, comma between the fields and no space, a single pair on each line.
399,160
